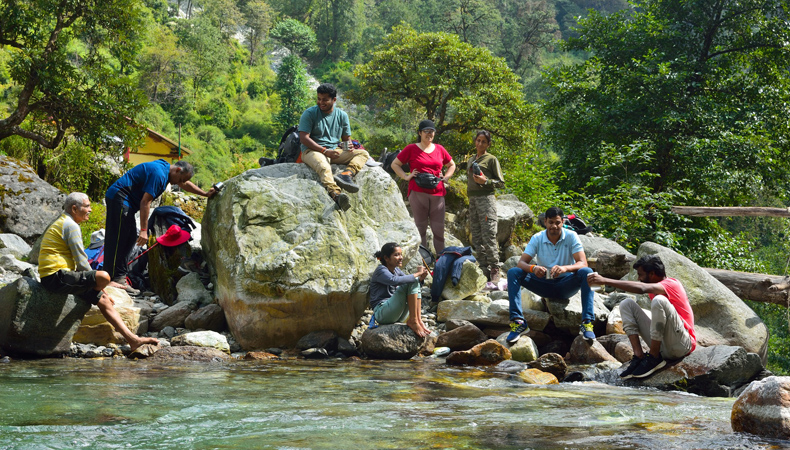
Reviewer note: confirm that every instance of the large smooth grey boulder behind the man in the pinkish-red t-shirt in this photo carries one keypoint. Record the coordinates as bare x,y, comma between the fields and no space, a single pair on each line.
720,317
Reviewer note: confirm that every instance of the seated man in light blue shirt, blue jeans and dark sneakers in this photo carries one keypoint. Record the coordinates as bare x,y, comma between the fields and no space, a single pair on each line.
559,270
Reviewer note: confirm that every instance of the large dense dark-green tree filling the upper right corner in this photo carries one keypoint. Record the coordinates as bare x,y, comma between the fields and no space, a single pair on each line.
701,87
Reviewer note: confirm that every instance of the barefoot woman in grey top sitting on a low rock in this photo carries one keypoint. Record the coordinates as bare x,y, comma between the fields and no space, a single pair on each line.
395,296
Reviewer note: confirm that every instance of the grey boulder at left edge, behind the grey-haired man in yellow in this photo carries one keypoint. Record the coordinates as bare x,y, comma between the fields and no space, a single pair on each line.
28,204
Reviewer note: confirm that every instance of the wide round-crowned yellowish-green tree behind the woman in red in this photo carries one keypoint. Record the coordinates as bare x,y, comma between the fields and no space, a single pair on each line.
458,86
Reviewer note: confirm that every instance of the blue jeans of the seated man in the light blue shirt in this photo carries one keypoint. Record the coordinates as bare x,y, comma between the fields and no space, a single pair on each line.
563,287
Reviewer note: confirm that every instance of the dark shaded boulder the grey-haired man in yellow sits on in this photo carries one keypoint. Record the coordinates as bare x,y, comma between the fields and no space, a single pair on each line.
36,322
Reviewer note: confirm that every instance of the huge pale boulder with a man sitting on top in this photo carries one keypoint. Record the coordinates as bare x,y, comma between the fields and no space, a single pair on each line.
287,262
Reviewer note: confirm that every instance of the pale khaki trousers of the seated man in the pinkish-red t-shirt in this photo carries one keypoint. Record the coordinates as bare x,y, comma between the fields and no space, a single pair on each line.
662,324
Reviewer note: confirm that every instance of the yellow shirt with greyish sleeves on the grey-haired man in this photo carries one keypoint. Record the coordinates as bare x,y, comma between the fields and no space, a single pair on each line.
61,248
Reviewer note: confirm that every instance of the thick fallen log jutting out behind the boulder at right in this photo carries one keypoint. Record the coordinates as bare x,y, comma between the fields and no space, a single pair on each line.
757,287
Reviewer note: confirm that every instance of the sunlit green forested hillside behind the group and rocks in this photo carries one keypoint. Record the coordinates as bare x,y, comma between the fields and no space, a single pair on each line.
613,110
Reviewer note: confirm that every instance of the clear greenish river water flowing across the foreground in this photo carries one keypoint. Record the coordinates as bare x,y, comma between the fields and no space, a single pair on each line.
343,405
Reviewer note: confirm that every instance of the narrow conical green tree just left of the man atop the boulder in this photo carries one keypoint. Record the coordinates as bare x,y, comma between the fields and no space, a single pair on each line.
295,95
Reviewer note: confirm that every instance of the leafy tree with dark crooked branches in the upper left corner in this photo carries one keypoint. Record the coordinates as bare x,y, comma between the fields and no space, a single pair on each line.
84,91
